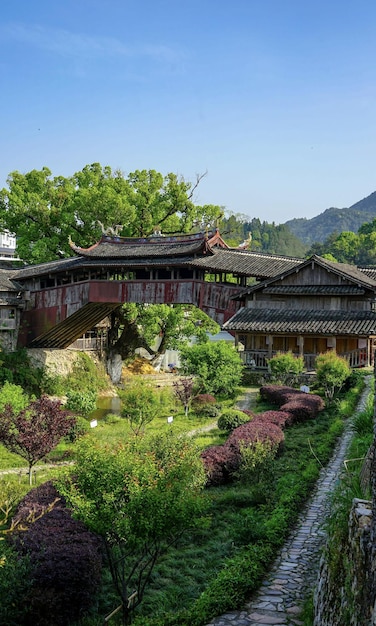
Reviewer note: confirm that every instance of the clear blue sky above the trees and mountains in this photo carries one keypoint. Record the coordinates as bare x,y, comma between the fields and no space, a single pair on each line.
274,99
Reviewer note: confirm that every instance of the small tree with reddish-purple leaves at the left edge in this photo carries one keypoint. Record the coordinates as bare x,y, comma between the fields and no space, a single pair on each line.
34,431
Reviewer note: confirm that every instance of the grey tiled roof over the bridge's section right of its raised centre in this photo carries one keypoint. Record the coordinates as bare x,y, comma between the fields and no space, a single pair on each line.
246,263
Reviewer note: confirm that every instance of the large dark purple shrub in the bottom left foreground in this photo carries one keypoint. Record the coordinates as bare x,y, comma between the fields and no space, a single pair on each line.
66,559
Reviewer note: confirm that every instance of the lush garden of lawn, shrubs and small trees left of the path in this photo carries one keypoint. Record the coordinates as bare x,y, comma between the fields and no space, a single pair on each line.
172,511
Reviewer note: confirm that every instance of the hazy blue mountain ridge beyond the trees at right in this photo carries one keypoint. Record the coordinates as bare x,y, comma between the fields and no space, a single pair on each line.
333,220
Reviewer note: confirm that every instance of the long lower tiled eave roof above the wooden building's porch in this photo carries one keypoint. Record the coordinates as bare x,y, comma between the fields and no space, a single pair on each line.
315,322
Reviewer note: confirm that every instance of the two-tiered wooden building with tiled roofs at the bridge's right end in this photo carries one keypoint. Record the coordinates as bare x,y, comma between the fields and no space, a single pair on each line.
316,306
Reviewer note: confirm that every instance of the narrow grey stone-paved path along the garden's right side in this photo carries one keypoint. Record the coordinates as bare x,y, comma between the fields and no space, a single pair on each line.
279,600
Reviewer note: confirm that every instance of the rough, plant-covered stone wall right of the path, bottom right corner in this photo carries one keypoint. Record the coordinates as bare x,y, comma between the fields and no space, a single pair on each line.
343,595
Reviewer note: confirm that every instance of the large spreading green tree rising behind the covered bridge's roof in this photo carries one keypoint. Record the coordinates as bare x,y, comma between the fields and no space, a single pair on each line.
44,211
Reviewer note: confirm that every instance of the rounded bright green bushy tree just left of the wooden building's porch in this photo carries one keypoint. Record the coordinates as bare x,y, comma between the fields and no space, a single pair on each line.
217,366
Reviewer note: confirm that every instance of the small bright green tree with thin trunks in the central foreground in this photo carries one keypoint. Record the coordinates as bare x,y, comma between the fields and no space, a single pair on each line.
140,496
